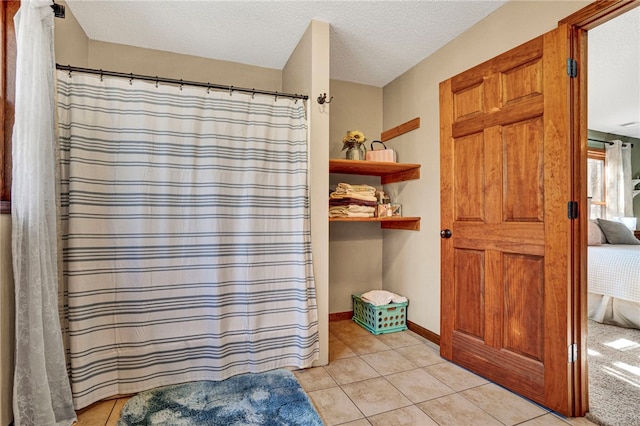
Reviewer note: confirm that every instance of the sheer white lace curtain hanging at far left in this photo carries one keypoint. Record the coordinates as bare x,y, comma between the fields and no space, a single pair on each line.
41,394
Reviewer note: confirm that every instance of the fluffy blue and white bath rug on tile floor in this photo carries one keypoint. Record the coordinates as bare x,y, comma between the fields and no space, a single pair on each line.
271,398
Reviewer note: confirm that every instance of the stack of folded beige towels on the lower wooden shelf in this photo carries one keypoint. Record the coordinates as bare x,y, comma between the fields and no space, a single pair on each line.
352,201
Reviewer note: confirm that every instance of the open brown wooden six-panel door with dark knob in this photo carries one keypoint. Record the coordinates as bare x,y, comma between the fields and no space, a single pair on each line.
505,187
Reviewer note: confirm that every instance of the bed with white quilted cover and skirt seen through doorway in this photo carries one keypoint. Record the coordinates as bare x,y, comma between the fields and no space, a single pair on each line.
614,283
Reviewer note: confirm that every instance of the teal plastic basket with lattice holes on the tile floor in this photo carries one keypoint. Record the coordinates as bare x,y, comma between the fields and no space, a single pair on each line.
380,319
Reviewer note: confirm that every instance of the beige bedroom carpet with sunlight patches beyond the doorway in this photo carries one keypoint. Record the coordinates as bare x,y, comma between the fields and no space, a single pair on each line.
614,375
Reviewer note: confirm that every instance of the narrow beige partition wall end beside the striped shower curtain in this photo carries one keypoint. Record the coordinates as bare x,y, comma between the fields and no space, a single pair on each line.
307,71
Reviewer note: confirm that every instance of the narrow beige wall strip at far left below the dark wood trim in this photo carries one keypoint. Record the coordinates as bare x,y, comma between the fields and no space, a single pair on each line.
6,321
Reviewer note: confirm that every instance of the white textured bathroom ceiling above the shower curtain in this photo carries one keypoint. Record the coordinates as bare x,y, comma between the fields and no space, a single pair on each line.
372,42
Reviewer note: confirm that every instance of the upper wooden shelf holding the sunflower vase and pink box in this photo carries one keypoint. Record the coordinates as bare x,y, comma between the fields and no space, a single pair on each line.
388,172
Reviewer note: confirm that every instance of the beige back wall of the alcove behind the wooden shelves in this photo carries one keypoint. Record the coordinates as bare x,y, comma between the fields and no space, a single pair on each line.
355,249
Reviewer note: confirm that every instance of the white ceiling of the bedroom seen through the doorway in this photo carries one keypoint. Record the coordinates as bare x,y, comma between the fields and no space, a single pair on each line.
614,75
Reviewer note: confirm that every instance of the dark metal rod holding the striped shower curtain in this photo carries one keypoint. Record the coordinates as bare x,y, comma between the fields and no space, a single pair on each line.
177,82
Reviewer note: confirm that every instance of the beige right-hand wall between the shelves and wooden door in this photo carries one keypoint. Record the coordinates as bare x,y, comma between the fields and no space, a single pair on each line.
412,259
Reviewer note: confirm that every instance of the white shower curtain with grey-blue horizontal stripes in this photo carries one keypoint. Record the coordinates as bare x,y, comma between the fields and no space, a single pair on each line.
186,235
